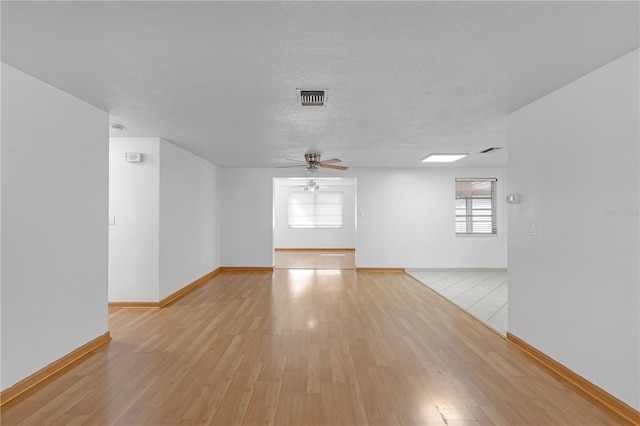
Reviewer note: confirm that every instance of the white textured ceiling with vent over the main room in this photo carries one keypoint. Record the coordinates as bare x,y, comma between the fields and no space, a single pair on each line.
404,79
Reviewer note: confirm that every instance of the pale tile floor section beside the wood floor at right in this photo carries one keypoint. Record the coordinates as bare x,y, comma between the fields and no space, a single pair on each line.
482,294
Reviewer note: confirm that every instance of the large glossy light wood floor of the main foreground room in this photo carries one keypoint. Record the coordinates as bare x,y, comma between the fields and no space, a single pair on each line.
305,347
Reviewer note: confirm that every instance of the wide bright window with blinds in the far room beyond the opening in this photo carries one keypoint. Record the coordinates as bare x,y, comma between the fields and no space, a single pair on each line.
315,209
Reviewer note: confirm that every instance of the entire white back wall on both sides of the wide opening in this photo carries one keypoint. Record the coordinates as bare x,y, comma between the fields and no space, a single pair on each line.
407,219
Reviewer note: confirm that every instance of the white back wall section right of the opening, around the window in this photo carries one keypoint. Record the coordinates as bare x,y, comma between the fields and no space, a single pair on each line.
406,219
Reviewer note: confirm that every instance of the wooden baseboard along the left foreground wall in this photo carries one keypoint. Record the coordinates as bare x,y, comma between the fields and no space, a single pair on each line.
24,385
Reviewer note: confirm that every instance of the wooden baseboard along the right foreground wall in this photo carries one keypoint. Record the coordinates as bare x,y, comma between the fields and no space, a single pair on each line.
584,386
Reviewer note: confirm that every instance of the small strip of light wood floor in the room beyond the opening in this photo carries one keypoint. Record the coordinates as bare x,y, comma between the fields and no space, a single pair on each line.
315,258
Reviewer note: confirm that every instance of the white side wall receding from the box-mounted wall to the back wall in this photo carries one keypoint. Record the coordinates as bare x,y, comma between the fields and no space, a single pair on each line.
189,218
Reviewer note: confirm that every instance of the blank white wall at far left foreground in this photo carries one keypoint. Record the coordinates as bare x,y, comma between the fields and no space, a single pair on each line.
54,224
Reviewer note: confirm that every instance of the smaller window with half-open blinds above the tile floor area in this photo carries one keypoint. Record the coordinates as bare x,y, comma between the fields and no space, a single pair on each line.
476,206
